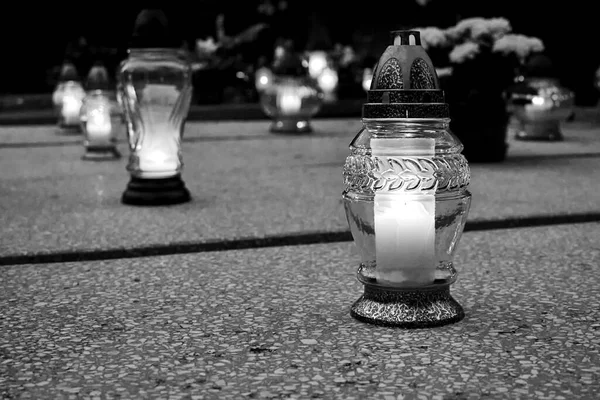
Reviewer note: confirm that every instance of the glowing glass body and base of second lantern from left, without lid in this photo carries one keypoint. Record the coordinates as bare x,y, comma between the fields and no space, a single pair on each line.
101,123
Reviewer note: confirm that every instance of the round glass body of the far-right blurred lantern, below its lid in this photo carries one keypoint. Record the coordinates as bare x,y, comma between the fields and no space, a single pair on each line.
539,105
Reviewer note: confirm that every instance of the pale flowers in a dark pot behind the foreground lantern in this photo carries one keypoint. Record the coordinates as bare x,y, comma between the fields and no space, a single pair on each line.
477,60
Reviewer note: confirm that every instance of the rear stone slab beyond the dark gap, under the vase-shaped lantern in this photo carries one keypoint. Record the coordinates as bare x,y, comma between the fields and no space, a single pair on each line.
51,200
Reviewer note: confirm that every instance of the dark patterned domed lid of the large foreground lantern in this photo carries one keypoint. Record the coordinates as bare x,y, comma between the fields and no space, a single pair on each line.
405,84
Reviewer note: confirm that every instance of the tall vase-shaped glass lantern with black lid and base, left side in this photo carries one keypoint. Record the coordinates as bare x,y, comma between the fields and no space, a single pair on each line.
155,91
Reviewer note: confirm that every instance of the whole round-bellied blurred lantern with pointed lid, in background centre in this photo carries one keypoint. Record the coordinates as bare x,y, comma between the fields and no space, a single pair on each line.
293,98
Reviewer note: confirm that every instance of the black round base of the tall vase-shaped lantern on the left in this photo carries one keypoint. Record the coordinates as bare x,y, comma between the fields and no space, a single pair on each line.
156,192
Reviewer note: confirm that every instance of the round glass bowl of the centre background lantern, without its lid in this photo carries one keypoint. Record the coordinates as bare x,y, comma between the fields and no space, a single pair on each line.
291,102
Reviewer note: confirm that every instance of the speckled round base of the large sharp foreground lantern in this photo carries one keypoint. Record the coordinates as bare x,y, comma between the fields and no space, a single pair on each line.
407,308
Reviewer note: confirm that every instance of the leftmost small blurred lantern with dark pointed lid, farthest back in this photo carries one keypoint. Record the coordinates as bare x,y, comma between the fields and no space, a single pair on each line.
67,98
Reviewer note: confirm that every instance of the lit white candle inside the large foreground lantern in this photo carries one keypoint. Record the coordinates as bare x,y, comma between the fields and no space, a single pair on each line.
404,221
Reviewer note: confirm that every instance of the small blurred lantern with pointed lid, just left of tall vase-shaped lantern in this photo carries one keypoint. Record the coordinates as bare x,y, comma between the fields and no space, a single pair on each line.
100,116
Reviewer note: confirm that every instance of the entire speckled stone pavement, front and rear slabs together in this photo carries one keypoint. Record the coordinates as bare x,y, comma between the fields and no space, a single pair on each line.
157,303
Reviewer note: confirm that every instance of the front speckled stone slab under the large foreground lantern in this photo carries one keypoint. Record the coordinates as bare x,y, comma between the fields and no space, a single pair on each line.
274,323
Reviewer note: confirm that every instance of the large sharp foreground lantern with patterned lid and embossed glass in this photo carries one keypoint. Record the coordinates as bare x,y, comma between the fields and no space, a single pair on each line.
406,197
